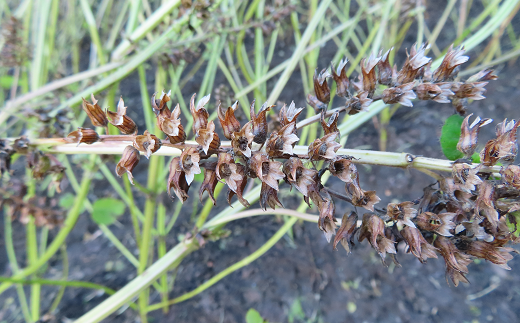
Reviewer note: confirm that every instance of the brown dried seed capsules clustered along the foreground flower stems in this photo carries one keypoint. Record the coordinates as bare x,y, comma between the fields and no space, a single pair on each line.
466,216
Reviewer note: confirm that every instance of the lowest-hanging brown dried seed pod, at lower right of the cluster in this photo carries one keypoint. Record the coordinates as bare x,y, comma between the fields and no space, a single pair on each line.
456,261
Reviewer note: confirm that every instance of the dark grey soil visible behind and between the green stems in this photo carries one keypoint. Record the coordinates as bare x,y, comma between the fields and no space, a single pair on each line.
329,285
